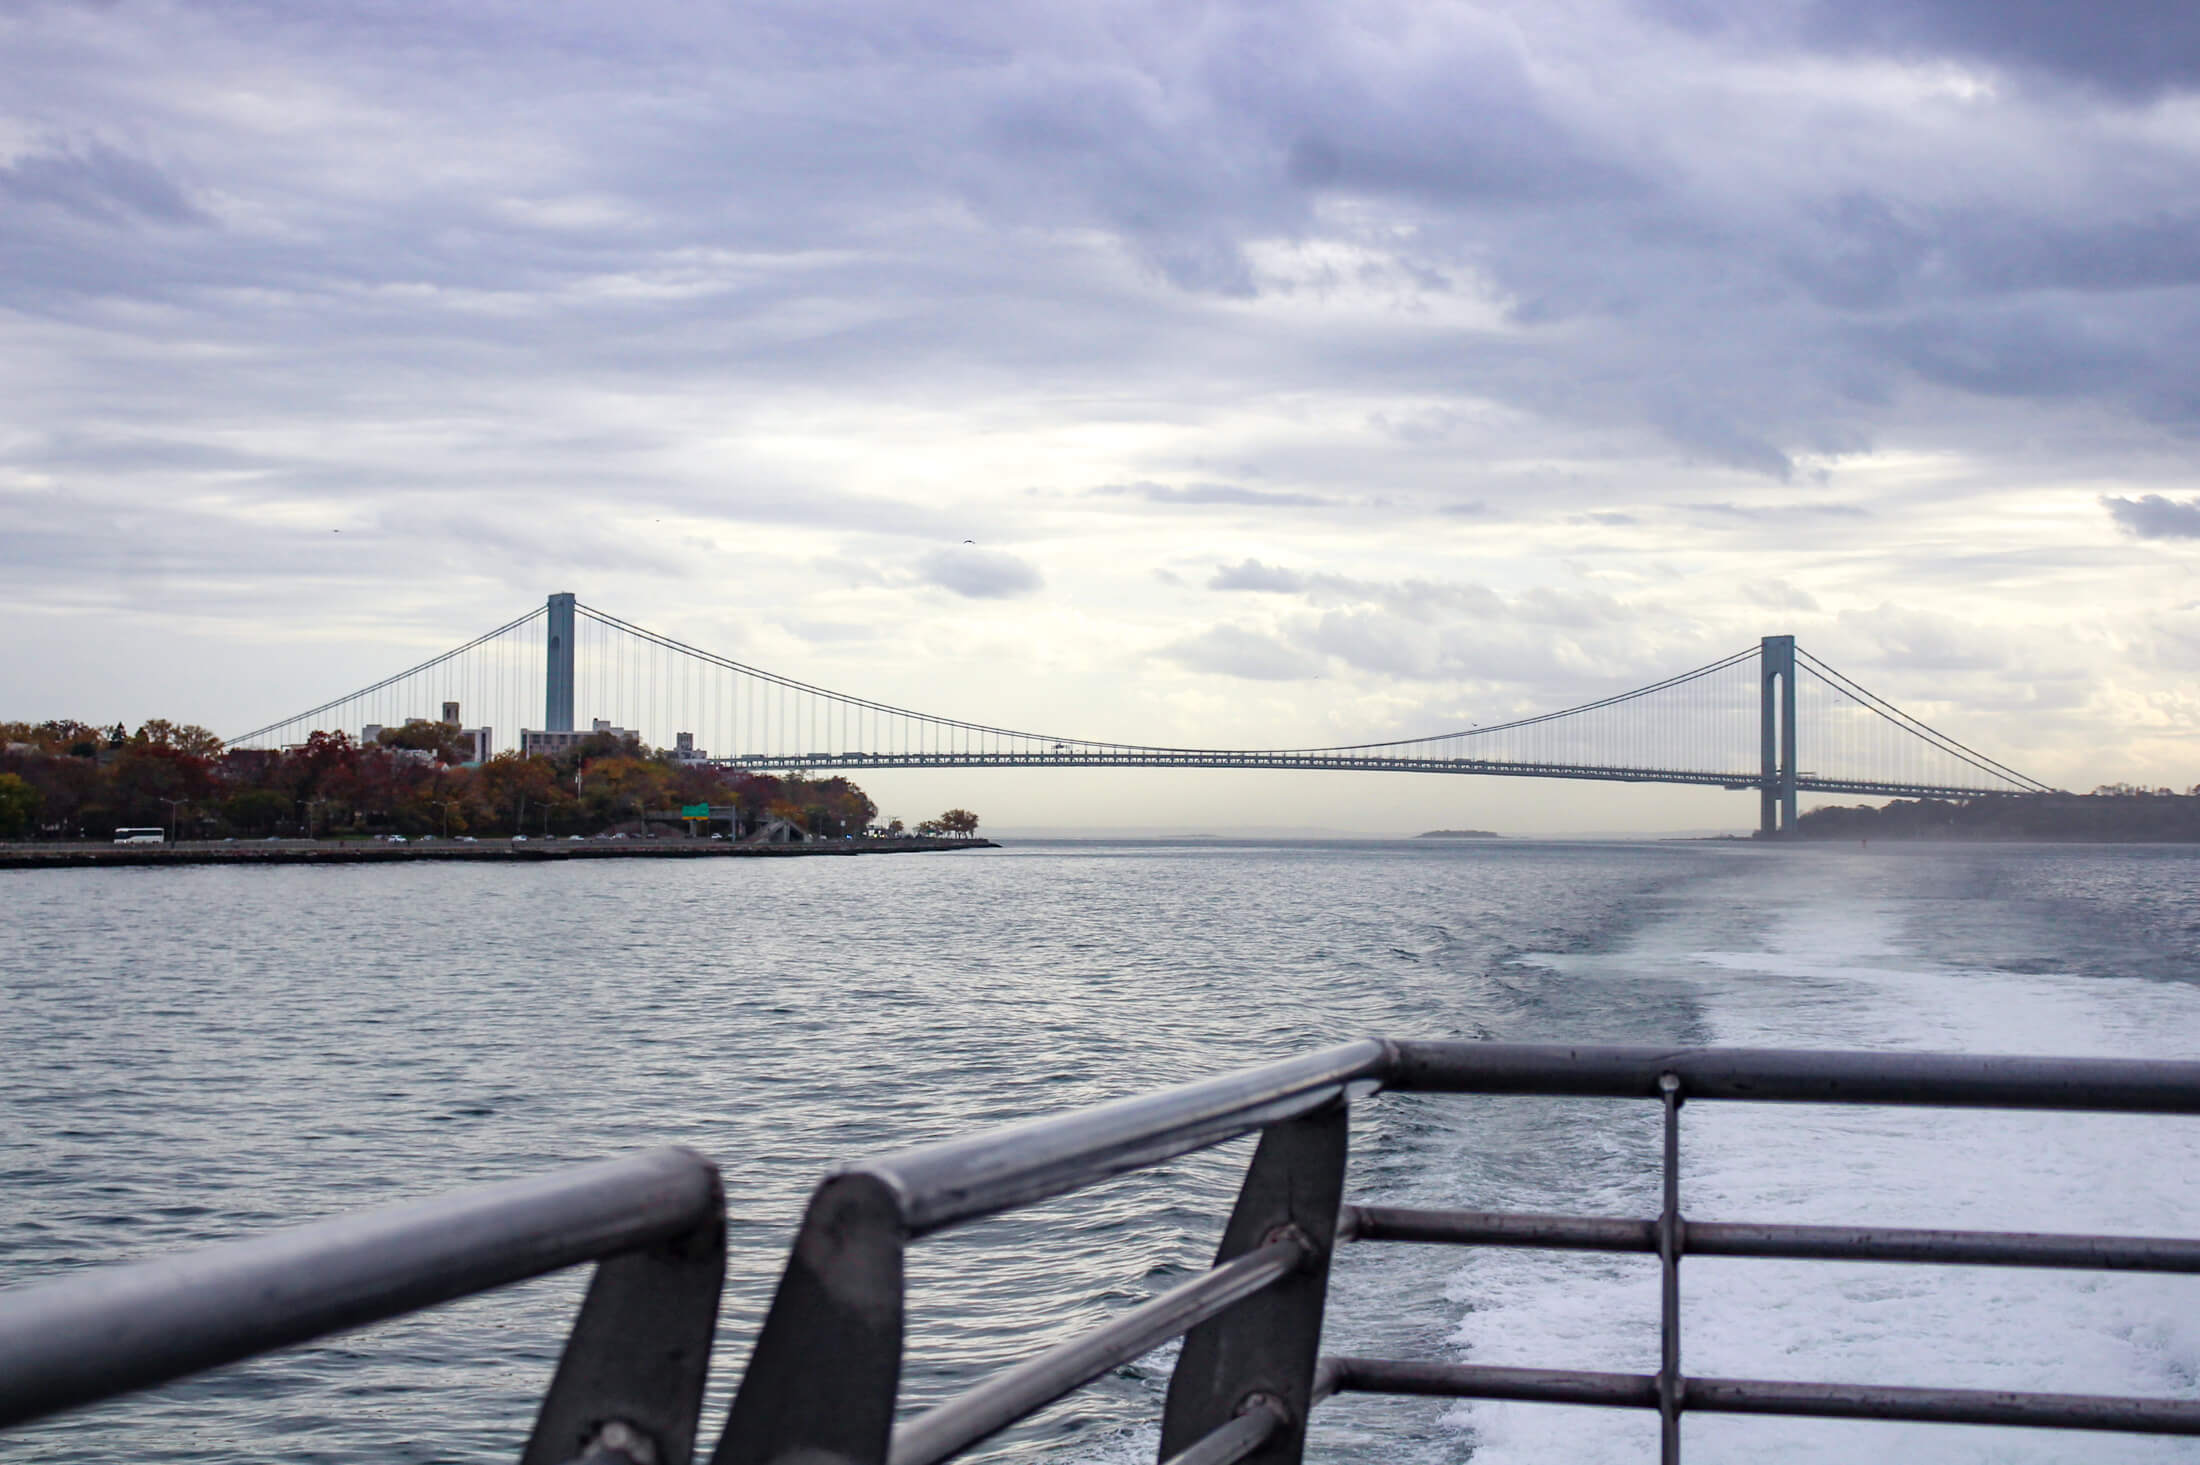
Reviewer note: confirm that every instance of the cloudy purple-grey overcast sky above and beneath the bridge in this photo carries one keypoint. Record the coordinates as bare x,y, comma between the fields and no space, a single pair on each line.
1301,373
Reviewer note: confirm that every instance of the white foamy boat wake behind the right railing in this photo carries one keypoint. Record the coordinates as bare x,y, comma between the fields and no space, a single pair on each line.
1856,967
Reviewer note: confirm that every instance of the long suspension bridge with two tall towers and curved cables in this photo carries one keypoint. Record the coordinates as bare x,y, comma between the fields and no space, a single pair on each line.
1743,723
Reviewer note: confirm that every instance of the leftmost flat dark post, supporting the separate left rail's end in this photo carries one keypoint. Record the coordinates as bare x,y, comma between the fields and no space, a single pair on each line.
639,1354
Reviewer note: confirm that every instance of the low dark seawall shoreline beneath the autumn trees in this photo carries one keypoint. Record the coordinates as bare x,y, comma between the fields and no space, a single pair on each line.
364,852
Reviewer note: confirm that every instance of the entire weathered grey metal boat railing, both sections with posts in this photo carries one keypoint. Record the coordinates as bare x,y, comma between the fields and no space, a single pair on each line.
824,1378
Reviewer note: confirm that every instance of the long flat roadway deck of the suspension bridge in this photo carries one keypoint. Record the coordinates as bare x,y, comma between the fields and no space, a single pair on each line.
1218,758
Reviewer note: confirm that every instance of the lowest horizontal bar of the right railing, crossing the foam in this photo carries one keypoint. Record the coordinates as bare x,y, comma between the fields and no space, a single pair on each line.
1988,1407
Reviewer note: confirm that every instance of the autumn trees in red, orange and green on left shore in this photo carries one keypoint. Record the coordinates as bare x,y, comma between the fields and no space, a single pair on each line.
71,780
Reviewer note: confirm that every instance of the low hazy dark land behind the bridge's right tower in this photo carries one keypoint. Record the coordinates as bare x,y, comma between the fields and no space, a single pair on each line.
2113,815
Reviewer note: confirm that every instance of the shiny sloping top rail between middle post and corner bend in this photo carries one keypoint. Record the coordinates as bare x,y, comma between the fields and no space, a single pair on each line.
962,1180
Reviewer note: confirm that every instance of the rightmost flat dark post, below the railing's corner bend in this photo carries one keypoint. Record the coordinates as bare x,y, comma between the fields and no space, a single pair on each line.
1262,1352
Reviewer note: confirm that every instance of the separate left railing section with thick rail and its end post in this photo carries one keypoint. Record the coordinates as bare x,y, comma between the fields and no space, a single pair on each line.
628,1387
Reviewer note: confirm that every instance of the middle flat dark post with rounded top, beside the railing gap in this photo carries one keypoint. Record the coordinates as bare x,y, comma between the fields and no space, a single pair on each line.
822,1383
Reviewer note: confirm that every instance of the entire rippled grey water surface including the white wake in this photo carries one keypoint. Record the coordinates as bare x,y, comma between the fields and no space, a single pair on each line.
208,1053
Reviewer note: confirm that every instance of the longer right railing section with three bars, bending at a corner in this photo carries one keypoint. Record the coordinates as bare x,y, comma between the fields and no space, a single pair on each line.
826,1369
